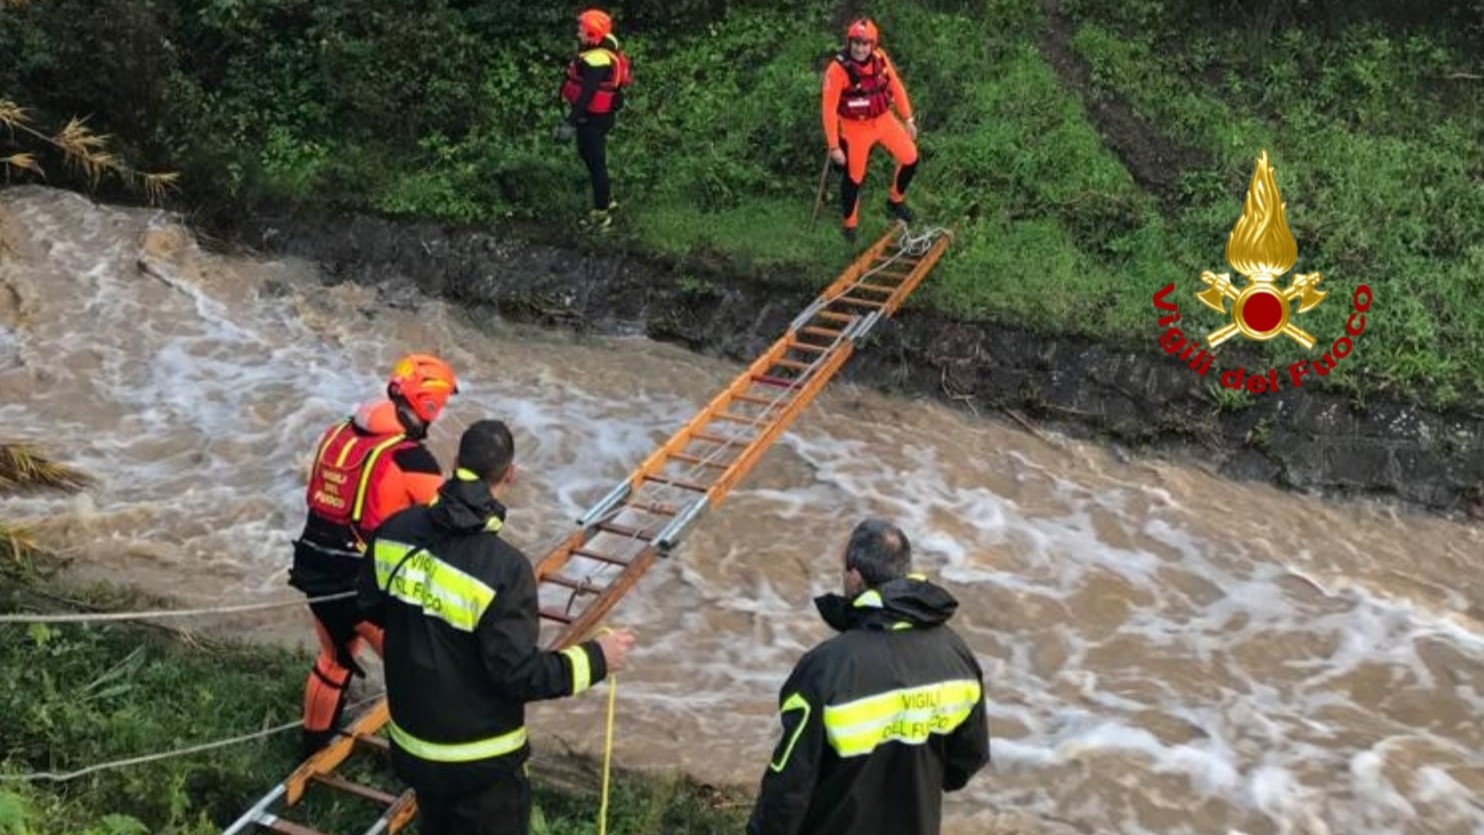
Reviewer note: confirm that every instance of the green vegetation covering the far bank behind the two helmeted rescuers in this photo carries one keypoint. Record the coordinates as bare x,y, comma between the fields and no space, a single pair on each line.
443,109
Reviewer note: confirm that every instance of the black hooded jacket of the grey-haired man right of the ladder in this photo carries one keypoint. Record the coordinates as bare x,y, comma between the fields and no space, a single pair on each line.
878,722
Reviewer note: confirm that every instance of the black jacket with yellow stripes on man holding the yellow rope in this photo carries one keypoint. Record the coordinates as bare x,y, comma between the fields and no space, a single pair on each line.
461,649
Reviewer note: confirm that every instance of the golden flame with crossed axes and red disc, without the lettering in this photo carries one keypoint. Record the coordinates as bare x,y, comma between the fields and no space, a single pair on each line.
1262,248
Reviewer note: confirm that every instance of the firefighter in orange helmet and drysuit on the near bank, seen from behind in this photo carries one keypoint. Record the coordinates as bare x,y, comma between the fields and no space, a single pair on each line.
366,469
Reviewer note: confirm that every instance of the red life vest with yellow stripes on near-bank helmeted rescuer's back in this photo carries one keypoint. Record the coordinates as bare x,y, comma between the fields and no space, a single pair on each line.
342,481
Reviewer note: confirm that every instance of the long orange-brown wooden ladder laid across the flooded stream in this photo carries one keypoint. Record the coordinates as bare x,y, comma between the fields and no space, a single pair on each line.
646,515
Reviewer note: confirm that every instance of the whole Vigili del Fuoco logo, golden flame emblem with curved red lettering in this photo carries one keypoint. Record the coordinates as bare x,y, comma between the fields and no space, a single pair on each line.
1262,250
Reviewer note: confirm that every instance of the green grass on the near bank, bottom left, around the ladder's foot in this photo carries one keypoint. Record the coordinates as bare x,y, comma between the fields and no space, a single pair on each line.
81,696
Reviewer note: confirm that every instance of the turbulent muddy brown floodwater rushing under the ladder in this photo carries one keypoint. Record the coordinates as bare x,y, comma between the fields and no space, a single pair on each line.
1166,652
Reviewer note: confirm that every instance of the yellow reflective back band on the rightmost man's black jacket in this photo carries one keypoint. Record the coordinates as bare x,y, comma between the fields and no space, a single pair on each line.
907,716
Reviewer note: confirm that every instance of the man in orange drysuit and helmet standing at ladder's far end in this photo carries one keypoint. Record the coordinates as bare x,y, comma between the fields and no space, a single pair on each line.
860,91
